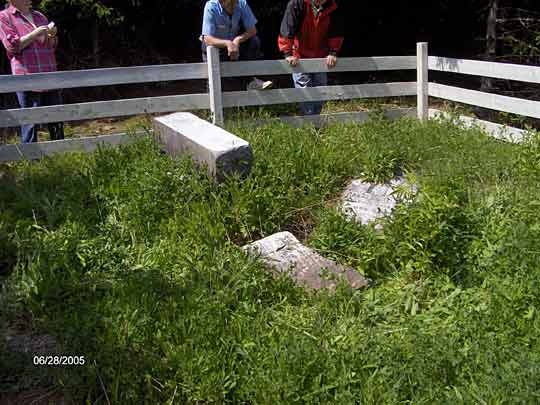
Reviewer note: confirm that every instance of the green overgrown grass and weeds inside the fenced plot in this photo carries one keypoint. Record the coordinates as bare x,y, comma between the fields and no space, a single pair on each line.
131,259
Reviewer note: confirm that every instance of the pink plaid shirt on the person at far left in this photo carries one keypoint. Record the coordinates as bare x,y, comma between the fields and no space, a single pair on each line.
35,58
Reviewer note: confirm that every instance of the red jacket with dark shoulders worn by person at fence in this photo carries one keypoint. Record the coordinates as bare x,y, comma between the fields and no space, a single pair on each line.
305,35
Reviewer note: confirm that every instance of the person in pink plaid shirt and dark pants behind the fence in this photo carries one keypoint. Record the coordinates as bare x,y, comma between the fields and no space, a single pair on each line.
30,42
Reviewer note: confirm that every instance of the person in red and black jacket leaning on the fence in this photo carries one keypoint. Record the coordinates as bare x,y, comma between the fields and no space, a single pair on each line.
311,29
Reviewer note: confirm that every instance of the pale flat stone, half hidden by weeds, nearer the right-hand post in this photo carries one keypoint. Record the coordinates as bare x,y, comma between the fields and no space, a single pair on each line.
365,202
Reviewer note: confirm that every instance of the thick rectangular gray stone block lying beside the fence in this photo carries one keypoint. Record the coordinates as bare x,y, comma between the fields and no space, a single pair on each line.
222,152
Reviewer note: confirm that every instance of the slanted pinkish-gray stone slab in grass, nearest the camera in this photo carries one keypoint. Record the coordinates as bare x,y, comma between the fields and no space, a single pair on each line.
283,253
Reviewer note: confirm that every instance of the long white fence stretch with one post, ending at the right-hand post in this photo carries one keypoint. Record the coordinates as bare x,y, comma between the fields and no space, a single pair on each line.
215,100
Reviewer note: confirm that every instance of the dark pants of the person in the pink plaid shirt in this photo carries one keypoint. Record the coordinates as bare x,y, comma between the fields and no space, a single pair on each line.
29,99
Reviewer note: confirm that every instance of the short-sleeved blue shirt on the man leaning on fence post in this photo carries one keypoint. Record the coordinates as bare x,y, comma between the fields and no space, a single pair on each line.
217,23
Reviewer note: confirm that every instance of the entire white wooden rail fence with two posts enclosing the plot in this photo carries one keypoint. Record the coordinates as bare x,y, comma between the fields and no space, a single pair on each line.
216,100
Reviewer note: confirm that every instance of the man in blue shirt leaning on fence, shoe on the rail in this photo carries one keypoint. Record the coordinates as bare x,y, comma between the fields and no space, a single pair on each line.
231,26
